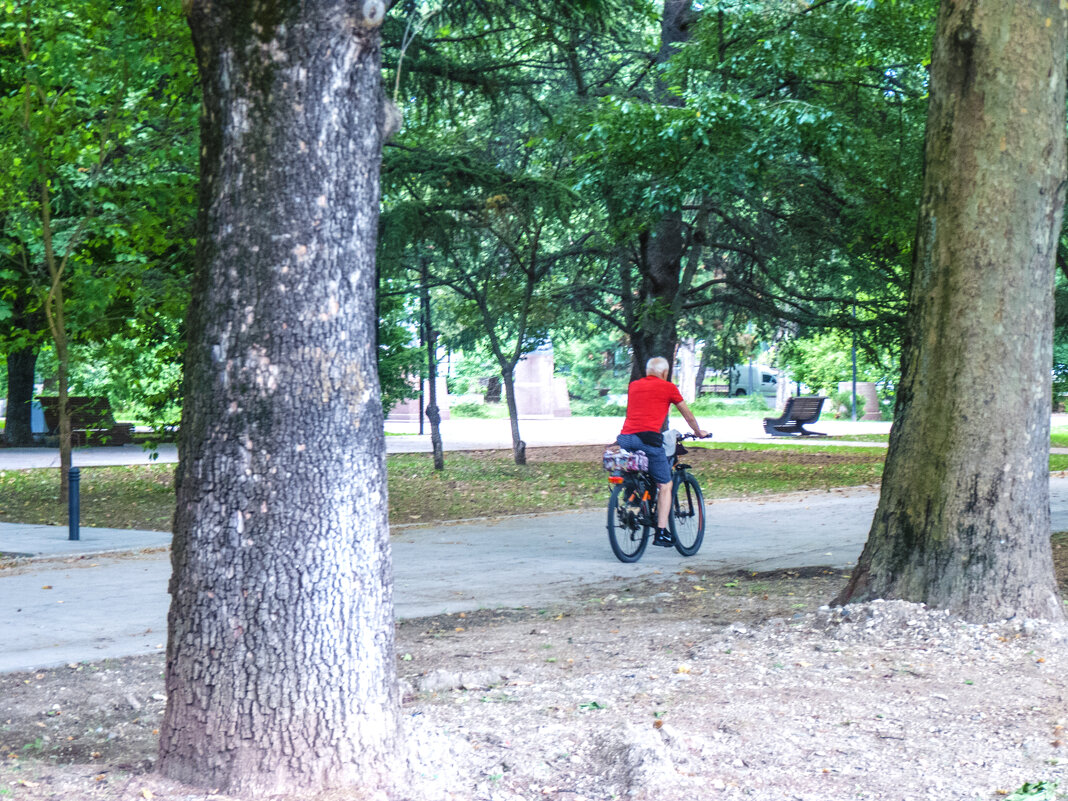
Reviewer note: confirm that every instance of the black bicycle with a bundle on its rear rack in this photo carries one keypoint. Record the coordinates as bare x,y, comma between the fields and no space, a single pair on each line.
633,508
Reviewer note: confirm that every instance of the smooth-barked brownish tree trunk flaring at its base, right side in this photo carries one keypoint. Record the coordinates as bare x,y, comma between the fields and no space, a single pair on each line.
964,521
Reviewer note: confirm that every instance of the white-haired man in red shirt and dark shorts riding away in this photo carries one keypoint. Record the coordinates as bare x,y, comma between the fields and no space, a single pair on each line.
649,401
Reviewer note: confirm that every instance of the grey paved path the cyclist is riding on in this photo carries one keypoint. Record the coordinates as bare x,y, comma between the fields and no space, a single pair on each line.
112,606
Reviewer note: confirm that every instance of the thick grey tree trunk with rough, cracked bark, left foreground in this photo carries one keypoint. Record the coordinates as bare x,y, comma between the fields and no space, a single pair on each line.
280,664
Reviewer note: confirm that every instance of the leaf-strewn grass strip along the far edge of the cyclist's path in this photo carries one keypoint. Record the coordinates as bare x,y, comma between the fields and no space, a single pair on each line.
473,485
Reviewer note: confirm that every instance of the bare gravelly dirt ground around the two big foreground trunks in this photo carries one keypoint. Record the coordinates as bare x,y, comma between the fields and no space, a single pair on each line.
690,686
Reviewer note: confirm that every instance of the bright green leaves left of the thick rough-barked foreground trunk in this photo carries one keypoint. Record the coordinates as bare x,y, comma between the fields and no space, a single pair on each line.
99,149
